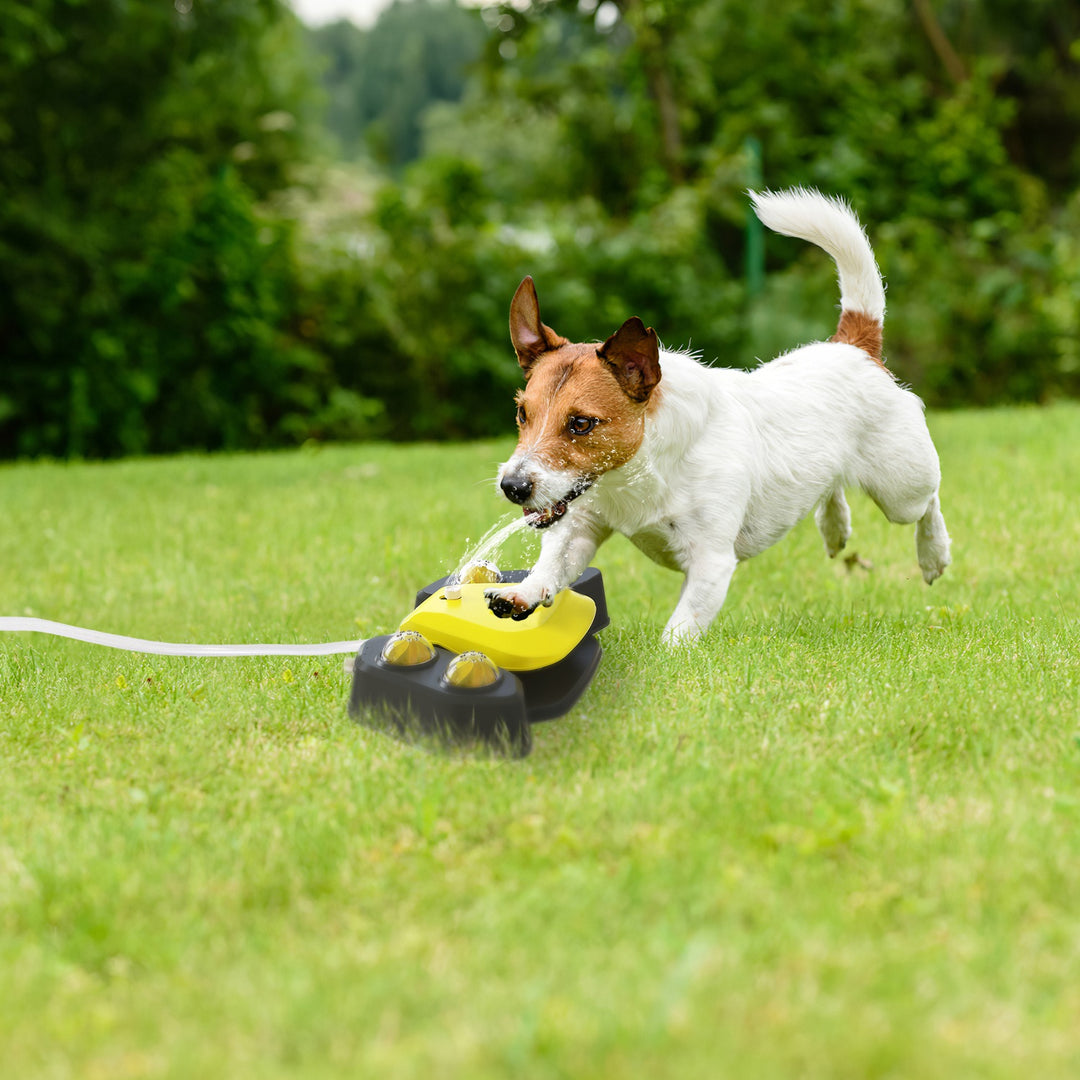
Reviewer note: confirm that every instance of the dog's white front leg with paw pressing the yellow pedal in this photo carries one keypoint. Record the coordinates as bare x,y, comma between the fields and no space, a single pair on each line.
568,548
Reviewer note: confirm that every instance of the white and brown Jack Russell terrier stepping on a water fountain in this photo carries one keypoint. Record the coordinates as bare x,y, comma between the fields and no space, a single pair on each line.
703,467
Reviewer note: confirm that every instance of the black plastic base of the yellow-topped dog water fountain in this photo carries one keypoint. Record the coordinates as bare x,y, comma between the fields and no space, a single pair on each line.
417,703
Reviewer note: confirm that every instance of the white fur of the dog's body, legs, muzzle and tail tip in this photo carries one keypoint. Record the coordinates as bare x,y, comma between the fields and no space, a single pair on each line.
732,461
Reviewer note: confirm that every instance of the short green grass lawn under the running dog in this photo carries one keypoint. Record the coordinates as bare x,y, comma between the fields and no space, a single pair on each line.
841,839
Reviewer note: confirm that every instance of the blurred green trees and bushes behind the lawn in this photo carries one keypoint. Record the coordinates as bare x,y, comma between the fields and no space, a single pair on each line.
186,263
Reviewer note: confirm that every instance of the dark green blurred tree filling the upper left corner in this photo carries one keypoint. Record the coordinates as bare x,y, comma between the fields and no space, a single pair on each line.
144,304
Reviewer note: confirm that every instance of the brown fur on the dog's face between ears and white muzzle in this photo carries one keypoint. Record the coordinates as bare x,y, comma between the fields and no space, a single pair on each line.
571,382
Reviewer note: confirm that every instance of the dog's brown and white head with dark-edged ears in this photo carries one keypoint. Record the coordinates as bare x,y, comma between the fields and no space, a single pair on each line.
582,412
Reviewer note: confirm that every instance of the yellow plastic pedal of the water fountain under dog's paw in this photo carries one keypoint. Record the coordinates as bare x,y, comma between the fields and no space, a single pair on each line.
547,637
